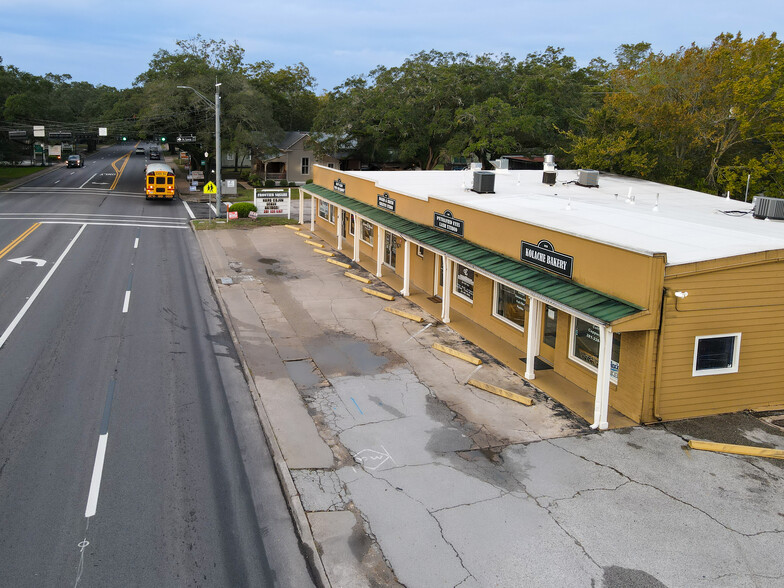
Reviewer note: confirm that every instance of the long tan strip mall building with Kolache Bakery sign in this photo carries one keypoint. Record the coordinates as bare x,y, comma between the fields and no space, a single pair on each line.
639,301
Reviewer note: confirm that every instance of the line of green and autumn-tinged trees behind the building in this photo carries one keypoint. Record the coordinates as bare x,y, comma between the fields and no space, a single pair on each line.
708,118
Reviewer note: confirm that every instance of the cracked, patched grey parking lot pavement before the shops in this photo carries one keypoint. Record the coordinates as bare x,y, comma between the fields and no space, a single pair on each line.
425,481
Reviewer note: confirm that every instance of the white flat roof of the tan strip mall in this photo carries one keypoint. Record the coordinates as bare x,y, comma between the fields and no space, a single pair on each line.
687,226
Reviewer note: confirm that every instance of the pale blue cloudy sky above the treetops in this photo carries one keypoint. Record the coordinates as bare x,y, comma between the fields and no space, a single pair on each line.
112,41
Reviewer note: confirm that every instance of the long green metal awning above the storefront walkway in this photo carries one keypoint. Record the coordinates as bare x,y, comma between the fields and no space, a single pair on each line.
587,301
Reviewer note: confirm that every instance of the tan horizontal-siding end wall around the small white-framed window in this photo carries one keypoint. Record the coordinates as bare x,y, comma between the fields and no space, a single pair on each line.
740,299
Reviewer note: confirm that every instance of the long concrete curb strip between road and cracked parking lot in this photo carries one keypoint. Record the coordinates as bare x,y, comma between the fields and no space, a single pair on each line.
299,517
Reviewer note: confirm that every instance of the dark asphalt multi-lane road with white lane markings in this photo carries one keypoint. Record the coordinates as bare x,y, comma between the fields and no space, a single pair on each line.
130,452
